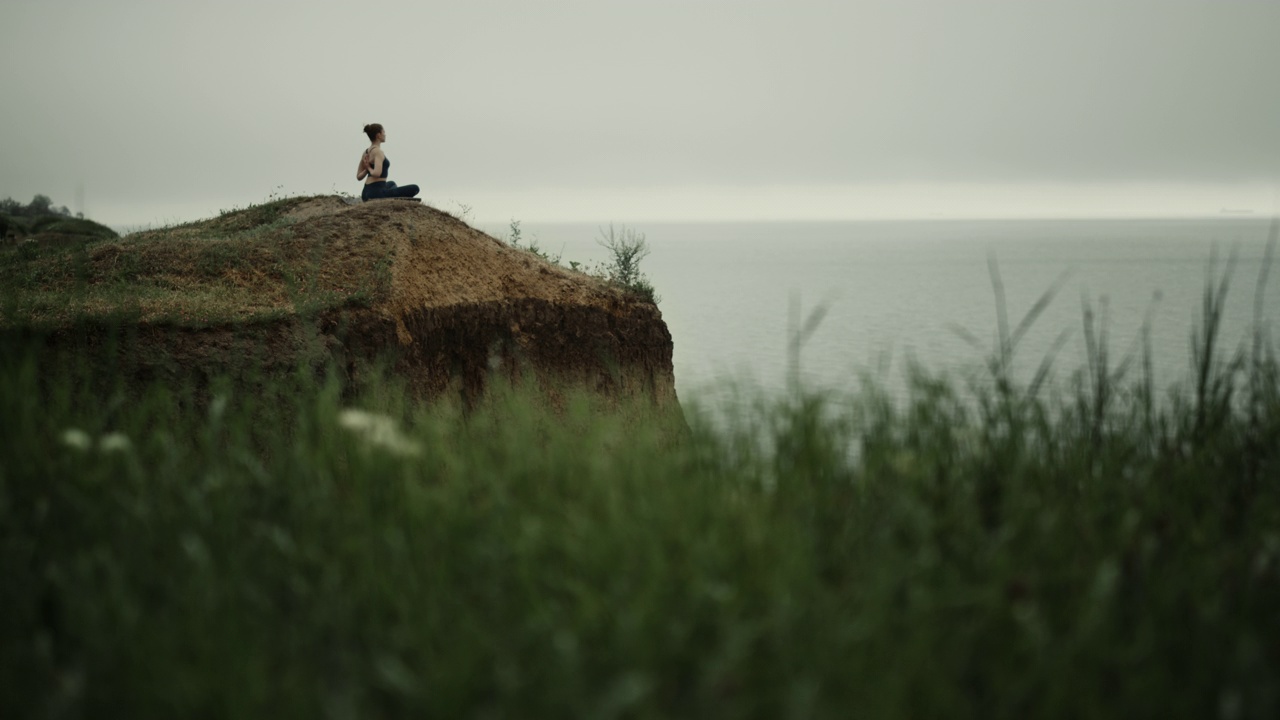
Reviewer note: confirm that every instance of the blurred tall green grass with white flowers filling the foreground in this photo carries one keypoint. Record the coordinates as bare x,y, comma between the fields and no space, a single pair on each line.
979,552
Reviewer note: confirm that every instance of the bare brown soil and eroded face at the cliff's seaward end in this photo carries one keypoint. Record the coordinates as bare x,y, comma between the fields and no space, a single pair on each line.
464,307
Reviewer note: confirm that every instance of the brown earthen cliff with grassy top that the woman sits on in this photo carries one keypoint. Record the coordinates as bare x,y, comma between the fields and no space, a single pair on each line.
326,284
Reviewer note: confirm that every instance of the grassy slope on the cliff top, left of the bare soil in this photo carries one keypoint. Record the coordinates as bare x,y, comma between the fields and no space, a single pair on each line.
243,267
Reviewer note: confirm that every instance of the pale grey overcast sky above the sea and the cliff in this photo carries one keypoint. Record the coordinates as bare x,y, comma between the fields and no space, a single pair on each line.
648,110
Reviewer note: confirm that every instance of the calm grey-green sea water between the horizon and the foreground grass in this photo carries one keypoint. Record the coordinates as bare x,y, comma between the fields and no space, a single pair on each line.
900,290
